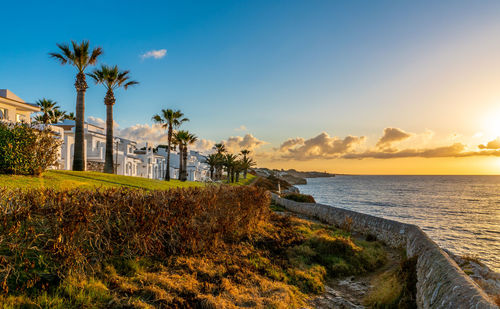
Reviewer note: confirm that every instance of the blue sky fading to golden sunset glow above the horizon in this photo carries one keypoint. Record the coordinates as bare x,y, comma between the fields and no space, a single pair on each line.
356,87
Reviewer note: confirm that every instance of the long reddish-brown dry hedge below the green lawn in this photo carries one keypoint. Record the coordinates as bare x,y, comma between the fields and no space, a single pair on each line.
46,232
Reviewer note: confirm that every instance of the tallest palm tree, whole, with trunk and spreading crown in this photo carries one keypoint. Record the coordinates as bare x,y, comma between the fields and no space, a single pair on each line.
80,57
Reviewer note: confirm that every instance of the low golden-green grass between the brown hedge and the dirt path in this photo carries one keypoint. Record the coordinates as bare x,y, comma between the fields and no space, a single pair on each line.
283,263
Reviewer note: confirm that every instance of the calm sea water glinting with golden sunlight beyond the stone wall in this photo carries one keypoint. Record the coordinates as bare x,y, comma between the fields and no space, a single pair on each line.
460,213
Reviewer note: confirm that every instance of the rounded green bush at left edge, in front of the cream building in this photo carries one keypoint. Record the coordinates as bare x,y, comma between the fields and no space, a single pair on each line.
26,149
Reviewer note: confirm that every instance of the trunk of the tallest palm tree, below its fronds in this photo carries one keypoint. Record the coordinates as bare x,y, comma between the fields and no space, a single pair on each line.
79,163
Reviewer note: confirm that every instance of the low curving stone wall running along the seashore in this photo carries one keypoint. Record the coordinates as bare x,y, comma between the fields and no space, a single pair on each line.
441,283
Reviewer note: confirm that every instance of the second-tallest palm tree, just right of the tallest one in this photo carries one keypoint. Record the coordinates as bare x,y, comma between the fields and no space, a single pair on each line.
112,78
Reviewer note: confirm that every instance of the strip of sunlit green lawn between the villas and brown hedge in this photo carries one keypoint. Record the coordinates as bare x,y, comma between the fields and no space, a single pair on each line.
70,179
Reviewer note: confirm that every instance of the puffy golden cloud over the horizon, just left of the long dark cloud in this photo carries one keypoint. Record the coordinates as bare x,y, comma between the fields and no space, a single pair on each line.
320,147
